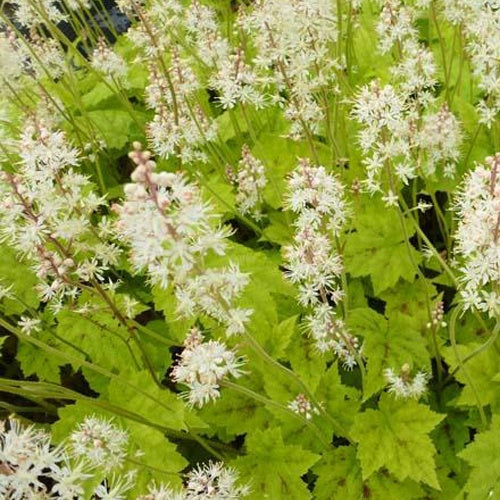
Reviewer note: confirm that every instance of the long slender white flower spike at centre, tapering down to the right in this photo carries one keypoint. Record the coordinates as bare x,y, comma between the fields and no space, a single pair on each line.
312,261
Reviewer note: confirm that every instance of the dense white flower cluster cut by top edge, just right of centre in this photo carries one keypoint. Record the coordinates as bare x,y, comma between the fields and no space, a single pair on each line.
294,41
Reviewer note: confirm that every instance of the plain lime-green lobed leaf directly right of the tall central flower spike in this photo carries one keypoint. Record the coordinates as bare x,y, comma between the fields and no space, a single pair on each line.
378,249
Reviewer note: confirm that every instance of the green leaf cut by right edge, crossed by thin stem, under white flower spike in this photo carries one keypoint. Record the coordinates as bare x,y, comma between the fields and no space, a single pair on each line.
481,371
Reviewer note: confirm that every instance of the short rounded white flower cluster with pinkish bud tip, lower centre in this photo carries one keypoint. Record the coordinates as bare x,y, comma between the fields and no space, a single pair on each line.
202,366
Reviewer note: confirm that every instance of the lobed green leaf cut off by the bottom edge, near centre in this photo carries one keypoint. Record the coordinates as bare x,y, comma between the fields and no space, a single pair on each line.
275,469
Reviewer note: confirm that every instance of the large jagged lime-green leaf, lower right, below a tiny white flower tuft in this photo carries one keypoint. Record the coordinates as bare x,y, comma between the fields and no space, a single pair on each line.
396,437
